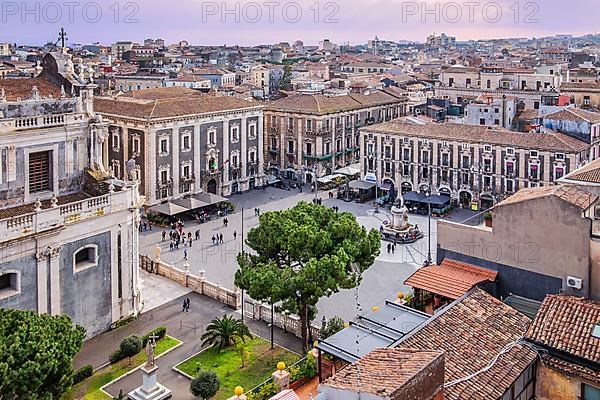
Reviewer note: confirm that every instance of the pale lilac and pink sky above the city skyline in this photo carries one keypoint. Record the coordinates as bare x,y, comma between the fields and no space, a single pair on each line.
255,22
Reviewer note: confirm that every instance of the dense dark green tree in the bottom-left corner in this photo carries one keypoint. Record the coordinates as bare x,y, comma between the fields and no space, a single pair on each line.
36,354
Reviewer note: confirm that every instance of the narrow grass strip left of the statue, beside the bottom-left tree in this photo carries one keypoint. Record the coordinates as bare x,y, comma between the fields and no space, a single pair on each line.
89,389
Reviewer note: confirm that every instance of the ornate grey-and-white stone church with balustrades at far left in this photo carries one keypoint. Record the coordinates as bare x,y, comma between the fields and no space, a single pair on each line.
68,232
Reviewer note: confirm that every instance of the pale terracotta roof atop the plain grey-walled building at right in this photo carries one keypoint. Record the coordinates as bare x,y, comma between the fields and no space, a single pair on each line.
570,194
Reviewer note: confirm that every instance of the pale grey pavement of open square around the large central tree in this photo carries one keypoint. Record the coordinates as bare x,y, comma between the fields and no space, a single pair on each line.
380,282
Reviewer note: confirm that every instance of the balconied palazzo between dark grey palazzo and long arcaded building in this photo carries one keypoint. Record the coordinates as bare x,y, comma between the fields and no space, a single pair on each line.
316,134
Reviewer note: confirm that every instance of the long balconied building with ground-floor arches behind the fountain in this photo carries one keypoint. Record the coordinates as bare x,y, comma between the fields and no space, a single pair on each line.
469,163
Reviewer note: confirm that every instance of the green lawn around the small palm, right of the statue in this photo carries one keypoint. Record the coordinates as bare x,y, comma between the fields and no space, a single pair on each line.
261,362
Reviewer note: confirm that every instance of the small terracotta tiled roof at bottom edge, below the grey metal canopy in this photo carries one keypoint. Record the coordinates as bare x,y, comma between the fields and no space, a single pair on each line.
383,371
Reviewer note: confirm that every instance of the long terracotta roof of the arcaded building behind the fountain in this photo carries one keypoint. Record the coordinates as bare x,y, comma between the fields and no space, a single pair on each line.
553,141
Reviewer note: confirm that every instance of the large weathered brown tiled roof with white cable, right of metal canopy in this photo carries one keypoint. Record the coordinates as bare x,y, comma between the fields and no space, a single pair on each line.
472,331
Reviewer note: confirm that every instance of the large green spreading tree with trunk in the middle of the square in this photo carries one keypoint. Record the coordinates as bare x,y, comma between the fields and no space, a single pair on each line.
303,254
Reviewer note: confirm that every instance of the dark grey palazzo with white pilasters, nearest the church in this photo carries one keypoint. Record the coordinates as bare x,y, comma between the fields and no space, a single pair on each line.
181,142
